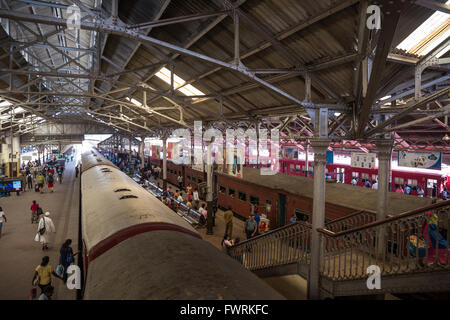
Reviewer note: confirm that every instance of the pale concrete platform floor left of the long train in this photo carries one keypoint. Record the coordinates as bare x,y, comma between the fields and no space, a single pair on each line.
19,253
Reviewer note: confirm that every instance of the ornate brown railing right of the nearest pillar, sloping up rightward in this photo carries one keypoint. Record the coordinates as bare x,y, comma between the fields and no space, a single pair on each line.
415,241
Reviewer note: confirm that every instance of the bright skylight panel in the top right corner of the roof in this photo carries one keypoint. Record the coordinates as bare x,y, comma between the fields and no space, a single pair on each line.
429,35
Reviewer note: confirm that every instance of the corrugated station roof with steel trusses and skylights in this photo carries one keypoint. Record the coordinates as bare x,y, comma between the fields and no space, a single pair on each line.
146,67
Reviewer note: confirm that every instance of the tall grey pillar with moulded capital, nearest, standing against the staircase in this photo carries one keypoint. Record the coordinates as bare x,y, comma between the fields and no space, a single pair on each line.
320,146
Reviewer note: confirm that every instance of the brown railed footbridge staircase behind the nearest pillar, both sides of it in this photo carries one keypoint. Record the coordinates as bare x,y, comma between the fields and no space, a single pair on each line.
349,246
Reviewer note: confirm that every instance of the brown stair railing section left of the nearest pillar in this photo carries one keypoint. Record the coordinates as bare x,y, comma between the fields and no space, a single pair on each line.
288,244
